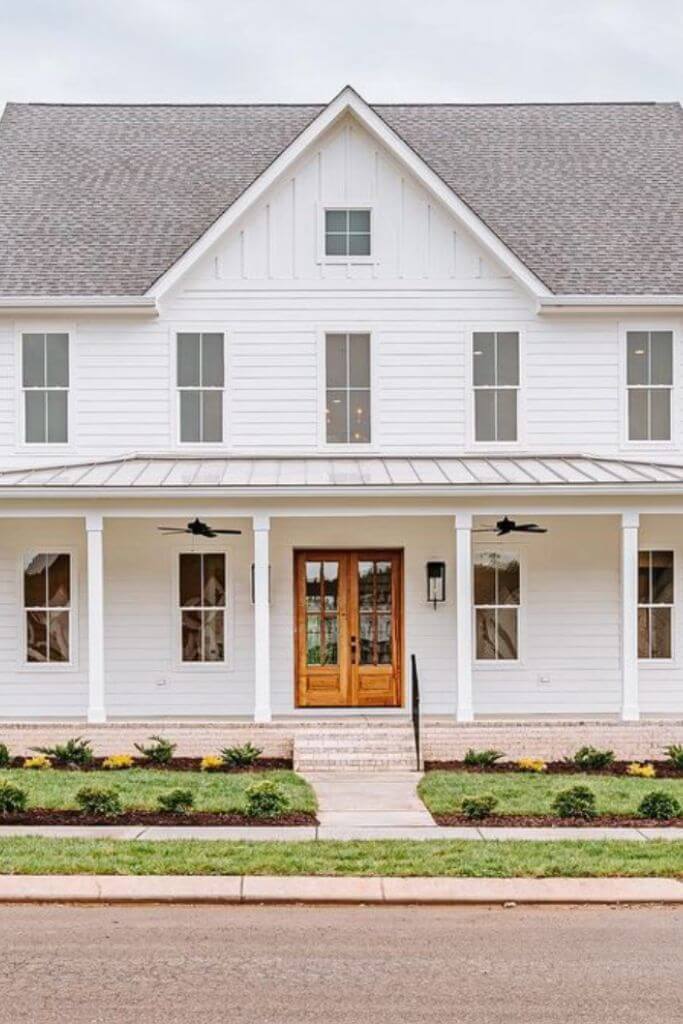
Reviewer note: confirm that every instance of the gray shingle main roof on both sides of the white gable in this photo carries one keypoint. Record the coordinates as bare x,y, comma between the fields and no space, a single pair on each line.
103,200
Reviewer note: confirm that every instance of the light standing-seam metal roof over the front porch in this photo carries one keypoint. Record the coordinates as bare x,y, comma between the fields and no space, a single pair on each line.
322,475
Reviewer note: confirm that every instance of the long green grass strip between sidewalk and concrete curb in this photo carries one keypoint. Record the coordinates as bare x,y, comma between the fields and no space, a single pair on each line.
32,856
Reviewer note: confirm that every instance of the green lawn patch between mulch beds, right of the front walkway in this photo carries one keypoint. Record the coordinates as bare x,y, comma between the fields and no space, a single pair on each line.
529,794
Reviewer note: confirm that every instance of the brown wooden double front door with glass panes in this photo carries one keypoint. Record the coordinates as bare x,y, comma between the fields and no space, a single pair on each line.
349,629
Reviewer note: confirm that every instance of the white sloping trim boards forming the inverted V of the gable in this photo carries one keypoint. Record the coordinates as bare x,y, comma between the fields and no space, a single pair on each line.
348,102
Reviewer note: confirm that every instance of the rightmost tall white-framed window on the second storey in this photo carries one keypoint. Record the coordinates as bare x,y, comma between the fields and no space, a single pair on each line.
650,383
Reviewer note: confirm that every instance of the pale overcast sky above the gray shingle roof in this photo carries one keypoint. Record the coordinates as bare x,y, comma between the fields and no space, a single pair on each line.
306,51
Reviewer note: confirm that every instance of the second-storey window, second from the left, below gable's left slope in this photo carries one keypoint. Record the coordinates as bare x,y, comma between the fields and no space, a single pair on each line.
201,378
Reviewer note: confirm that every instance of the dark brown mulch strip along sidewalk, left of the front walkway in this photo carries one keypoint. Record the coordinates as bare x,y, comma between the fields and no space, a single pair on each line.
51,817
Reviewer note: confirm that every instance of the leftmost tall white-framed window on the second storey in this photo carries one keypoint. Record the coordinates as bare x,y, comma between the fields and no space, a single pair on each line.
46,385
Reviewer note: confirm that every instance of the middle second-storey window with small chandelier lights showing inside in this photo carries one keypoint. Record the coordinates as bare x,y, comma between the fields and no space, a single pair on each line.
348,389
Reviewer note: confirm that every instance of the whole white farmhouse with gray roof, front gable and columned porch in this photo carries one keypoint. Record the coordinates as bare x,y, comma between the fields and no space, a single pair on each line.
344,343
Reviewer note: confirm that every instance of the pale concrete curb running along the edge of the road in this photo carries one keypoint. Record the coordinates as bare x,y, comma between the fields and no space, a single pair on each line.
318,890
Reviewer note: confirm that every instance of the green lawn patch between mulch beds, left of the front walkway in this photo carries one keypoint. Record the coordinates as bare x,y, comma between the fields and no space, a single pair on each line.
140,788
